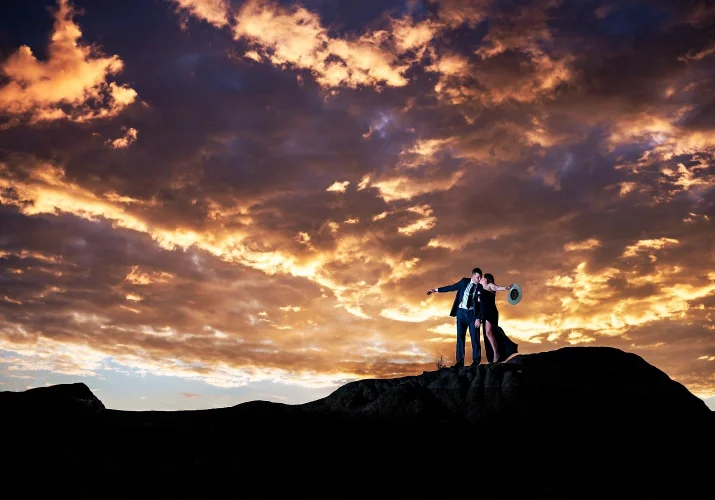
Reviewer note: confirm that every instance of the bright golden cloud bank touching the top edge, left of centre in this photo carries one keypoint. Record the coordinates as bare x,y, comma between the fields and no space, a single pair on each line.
295,37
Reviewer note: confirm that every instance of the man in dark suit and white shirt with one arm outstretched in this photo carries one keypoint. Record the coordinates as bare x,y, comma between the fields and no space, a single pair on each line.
466,309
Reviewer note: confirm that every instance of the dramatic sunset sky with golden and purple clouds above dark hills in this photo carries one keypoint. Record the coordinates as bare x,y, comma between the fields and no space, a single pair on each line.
207,202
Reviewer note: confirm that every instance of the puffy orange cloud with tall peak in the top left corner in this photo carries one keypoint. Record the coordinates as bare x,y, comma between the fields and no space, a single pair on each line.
74,76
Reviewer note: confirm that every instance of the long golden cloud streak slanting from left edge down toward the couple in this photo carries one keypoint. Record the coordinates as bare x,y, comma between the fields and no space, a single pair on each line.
48,191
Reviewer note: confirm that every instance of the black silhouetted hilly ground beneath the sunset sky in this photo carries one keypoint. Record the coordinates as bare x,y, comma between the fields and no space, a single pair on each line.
580,422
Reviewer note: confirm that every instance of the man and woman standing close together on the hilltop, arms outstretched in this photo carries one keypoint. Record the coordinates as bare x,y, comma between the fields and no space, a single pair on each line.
475,305
